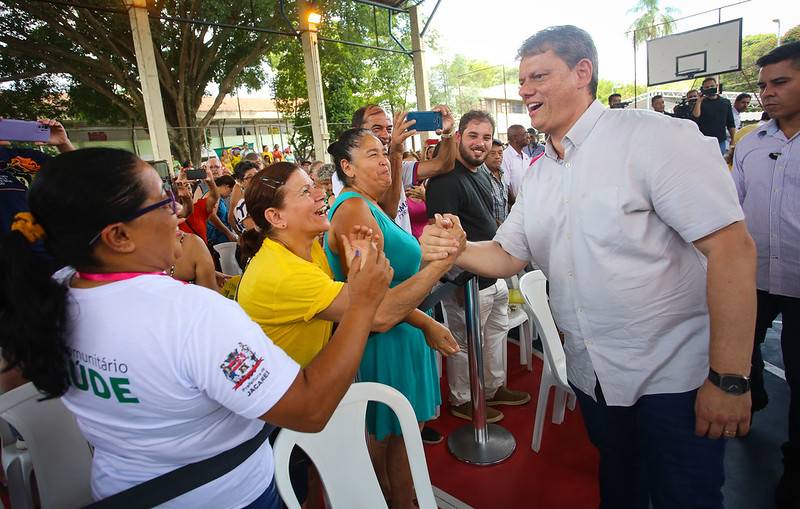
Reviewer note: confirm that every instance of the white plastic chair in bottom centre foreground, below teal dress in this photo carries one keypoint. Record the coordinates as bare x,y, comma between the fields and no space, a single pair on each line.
339,452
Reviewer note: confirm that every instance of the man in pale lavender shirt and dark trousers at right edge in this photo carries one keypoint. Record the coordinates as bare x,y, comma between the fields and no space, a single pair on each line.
766,170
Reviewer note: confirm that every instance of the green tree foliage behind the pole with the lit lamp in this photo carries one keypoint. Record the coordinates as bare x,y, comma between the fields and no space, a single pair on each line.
352,76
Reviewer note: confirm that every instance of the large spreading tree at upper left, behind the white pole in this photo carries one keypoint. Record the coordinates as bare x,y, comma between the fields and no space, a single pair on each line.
59,60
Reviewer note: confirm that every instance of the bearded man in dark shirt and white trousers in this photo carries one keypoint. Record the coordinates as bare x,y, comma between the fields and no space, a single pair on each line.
467,193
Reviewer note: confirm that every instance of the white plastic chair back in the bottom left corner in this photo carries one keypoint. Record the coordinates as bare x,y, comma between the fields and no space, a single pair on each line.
60,454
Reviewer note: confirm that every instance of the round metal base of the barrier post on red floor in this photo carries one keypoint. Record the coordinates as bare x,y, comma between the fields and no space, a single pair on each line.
498,446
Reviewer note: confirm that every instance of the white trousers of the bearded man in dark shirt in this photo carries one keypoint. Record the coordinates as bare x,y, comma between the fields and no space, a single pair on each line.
494,326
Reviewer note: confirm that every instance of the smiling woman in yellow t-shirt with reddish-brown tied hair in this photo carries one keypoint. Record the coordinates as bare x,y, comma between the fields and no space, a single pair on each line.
288,287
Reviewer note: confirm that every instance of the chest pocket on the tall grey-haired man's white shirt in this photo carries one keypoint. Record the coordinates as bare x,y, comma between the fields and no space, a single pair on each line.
600,215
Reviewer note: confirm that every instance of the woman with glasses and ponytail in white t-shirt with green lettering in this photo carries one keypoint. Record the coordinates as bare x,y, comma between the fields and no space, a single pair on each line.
159,374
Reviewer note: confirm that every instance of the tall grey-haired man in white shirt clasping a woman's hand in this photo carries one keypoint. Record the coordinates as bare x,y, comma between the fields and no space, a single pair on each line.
652,277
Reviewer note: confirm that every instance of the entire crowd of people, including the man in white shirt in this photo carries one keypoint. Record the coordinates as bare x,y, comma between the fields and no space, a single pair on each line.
665,271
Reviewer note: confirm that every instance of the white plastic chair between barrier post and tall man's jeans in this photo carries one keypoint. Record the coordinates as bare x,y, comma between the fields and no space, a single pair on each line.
533,286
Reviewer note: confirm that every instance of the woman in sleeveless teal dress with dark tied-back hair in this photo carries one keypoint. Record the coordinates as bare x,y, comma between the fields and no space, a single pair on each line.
399,357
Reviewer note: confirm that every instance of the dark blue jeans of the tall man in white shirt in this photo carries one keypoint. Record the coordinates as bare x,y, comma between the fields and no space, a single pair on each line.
650,454
